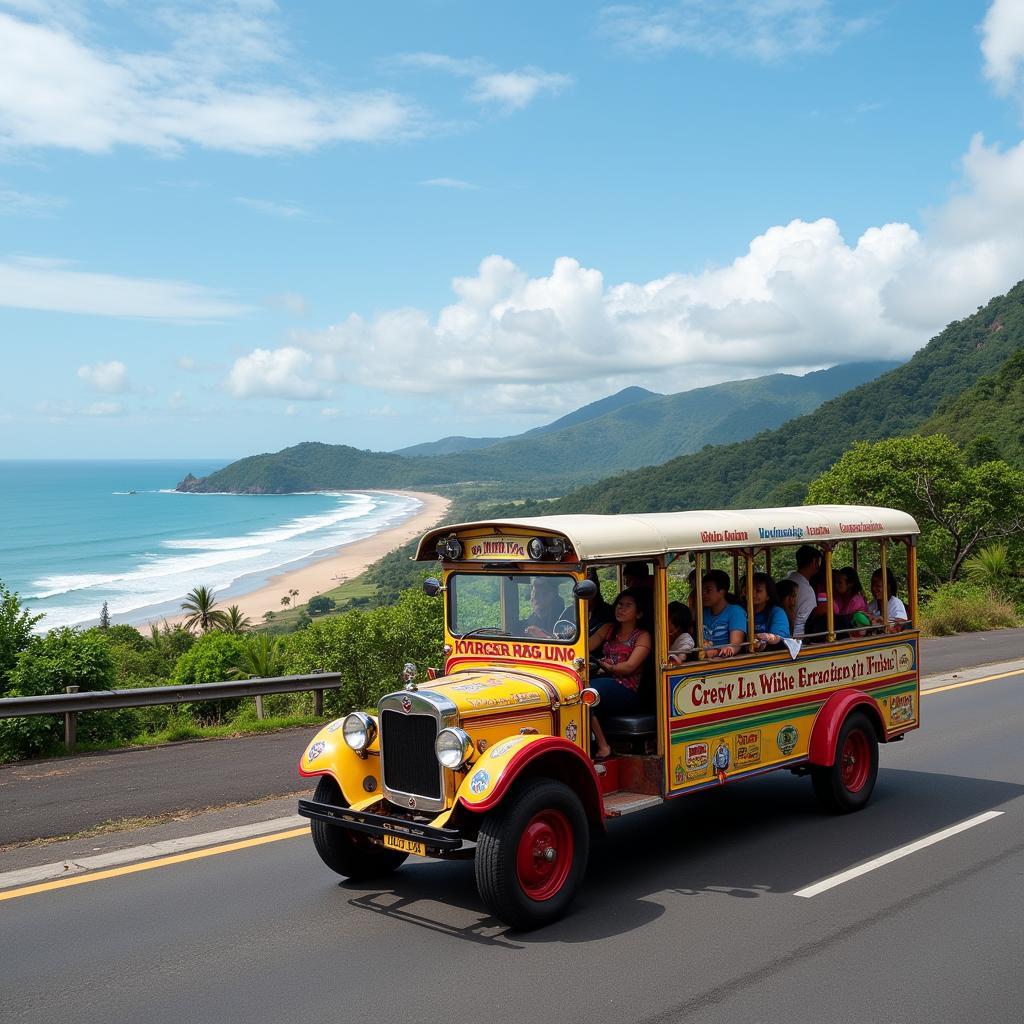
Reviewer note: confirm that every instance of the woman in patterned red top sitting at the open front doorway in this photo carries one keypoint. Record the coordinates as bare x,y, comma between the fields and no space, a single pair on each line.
625,646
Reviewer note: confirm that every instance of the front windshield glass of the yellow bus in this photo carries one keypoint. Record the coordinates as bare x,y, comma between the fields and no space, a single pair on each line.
520,606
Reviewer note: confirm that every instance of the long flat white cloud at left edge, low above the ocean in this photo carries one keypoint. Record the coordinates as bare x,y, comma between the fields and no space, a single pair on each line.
32,283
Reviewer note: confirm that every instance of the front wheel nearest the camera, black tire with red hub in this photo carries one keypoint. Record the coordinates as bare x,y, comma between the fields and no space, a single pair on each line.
549,816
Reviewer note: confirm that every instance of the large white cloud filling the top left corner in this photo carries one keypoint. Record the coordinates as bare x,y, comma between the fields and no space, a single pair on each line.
59,89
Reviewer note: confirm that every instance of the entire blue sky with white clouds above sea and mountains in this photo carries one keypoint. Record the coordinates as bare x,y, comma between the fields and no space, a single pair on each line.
229,228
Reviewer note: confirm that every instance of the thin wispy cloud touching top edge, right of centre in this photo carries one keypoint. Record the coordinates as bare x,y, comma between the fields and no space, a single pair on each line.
761,30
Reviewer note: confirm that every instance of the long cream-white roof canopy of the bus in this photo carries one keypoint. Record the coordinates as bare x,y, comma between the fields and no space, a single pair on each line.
649,535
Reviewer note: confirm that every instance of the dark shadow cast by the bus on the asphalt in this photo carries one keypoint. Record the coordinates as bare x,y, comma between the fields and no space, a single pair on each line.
765,837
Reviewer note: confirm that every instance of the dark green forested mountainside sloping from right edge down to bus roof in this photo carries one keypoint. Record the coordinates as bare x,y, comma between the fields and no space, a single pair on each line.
775,467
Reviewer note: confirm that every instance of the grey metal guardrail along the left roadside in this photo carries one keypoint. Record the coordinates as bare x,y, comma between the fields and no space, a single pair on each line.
71,703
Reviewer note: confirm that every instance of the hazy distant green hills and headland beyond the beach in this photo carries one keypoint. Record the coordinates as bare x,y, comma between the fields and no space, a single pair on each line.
631,429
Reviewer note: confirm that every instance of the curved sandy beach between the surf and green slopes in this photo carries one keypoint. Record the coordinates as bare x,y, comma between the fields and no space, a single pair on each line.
335,568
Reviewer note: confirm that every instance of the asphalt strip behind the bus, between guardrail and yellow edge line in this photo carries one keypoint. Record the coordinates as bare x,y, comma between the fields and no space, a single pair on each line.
64,796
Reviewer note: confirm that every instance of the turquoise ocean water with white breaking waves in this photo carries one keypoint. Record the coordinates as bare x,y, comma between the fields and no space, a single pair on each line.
74,535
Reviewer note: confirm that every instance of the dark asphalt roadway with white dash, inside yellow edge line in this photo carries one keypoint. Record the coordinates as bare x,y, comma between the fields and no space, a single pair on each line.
688,914
